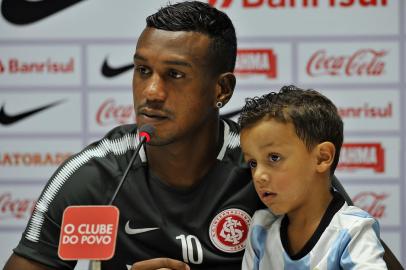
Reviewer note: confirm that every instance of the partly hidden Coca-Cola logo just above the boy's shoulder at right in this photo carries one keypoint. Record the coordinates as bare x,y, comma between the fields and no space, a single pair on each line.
371,202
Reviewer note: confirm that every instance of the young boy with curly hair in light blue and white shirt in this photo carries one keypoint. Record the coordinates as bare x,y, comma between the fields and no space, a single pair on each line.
291,140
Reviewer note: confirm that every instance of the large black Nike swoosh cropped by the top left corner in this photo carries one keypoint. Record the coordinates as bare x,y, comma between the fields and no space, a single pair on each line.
22,12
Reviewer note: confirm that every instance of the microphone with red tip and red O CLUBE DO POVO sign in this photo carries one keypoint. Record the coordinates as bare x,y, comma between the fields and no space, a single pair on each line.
90,231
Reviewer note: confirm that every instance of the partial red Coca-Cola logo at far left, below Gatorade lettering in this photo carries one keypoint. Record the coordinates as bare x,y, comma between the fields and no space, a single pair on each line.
17,208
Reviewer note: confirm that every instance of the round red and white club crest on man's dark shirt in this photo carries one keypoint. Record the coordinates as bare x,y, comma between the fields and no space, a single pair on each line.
229,230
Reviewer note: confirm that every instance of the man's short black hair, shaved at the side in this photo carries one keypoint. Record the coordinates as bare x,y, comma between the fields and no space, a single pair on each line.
195,16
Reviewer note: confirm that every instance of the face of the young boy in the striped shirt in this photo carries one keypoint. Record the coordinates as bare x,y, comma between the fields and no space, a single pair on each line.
283,169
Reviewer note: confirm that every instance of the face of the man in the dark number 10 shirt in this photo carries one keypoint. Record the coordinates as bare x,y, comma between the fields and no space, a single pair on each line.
172,88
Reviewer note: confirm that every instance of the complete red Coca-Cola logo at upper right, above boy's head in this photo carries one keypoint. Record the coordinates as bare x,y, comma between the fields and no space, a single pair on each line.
363,62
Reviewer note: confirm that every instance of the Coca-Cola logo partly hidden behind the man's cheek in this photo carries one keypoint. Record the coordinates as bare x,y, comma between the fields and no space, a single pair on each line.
111,113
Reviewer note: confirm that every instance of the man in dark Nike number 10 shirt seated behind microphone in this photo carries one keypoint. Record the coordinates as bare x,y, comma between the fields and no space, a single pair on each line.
186,184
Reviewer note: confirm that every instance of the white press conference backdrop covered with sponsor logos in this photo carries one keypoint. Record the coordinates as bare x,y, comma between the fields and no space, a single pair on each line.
72,65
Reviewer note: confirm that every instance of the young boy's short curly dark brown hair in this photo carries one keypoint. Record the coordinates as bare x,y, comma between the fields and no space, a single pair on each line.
313,115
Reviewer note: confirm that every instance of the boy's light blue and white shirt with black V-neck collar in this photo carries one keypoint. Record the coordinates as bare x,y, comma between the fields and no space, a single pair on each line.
347,238
